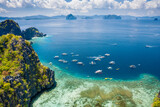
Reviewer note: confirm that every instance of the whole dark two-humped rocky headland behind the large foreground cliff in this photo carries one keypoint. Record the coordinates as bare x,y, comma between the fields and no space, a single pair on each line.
11,27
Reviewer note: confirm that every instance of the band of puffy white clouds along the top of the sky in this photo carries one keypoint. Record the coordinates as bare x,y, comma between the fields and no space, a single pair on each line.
82,5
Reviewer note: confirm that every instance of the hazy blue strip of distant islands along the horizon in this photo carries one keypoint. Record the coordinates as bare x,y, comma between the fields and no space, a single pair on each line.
72,17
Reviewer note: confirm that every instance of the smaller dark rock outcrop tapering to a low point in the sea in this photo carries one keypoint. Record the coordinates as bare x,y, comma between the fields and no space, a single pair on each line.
32,32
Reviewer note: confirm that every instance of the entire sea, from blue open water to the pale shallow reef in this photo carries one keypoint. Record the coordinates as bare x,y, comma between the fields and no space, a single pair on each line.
129,42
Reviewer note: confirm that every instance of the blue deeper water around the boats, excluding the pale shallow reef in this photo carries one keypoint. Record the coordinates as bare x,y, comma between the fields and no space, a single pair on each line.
95,37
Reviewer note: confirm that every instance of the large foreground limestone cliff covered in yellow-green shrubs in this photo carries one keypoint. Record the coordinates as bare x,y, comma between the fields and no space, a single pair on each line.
21,73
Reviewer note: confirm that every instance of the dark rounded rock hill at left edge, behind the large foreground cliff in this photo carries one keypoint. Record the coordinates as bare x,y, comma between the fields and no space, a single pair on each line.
9,26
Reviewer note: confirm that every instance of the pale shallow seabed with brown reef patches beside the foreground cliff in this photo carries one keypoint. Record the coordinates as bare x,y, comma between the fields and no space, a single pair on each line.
80,92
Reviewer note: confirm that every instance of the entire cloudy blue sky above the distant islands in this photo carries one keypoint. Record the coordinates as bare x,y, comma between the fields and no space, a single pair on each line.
19,8
